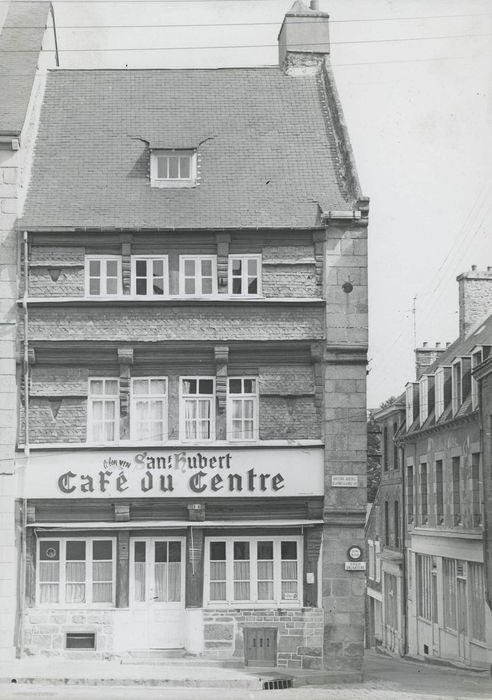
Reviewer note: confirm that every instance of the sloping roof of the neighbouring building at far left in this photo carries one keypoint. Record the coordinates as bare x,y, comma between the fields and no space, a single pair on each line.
20,44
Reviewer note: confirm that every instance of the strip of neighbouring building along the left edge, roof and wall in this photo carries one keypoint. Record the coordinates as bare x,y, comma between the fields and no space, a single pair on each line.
21,90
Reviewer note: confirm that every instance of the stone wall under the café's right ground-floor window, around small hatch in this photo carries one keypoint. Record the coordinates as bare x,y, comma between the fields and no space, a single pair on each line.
299,634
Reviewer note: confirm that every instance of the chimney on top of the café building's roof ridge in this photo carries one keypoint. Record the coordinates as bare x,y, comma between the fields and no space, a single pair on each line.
304,39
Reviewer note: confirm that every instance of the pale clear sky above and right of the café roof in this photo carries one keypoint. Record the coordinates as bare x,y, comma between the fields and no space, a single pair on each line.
415,79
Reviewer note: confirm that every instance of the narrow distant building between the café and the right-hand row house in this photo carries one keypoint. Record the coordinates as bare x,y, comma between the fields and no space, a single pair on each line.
385,614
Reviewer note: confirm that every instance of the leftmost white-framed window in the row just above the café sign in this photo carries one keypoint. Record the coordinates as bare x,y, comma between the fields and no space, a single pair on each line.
103,410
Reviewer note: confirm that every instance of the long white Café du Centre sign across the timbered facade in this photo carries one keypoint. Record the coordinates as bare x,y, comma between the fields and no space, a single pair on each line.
203,472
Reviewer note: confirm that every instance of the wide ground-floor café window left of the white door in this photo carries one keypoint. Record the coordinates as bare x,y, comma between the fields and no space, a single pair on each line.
76,571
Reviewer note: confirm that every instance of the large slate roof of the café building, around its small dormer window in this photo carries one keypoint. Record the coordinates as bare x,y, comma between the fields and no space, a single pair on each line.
267,151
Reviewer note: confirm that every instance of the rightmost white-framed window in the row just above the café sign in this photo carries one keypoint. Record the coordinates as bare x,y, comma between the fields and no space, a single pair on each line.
242,408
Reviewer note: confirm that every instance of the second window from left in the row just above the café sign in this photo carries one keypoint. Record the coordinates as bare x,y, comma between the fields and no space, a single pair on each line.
148,412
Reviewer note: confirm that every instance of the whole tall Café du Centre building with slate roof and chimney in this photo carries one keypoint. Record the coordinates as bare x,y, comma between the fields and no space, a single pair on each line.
191,448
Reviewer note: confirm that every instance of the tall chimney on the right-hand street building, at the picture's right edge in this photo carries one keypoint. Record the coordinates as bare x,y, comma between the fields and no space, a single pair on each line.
475,298
